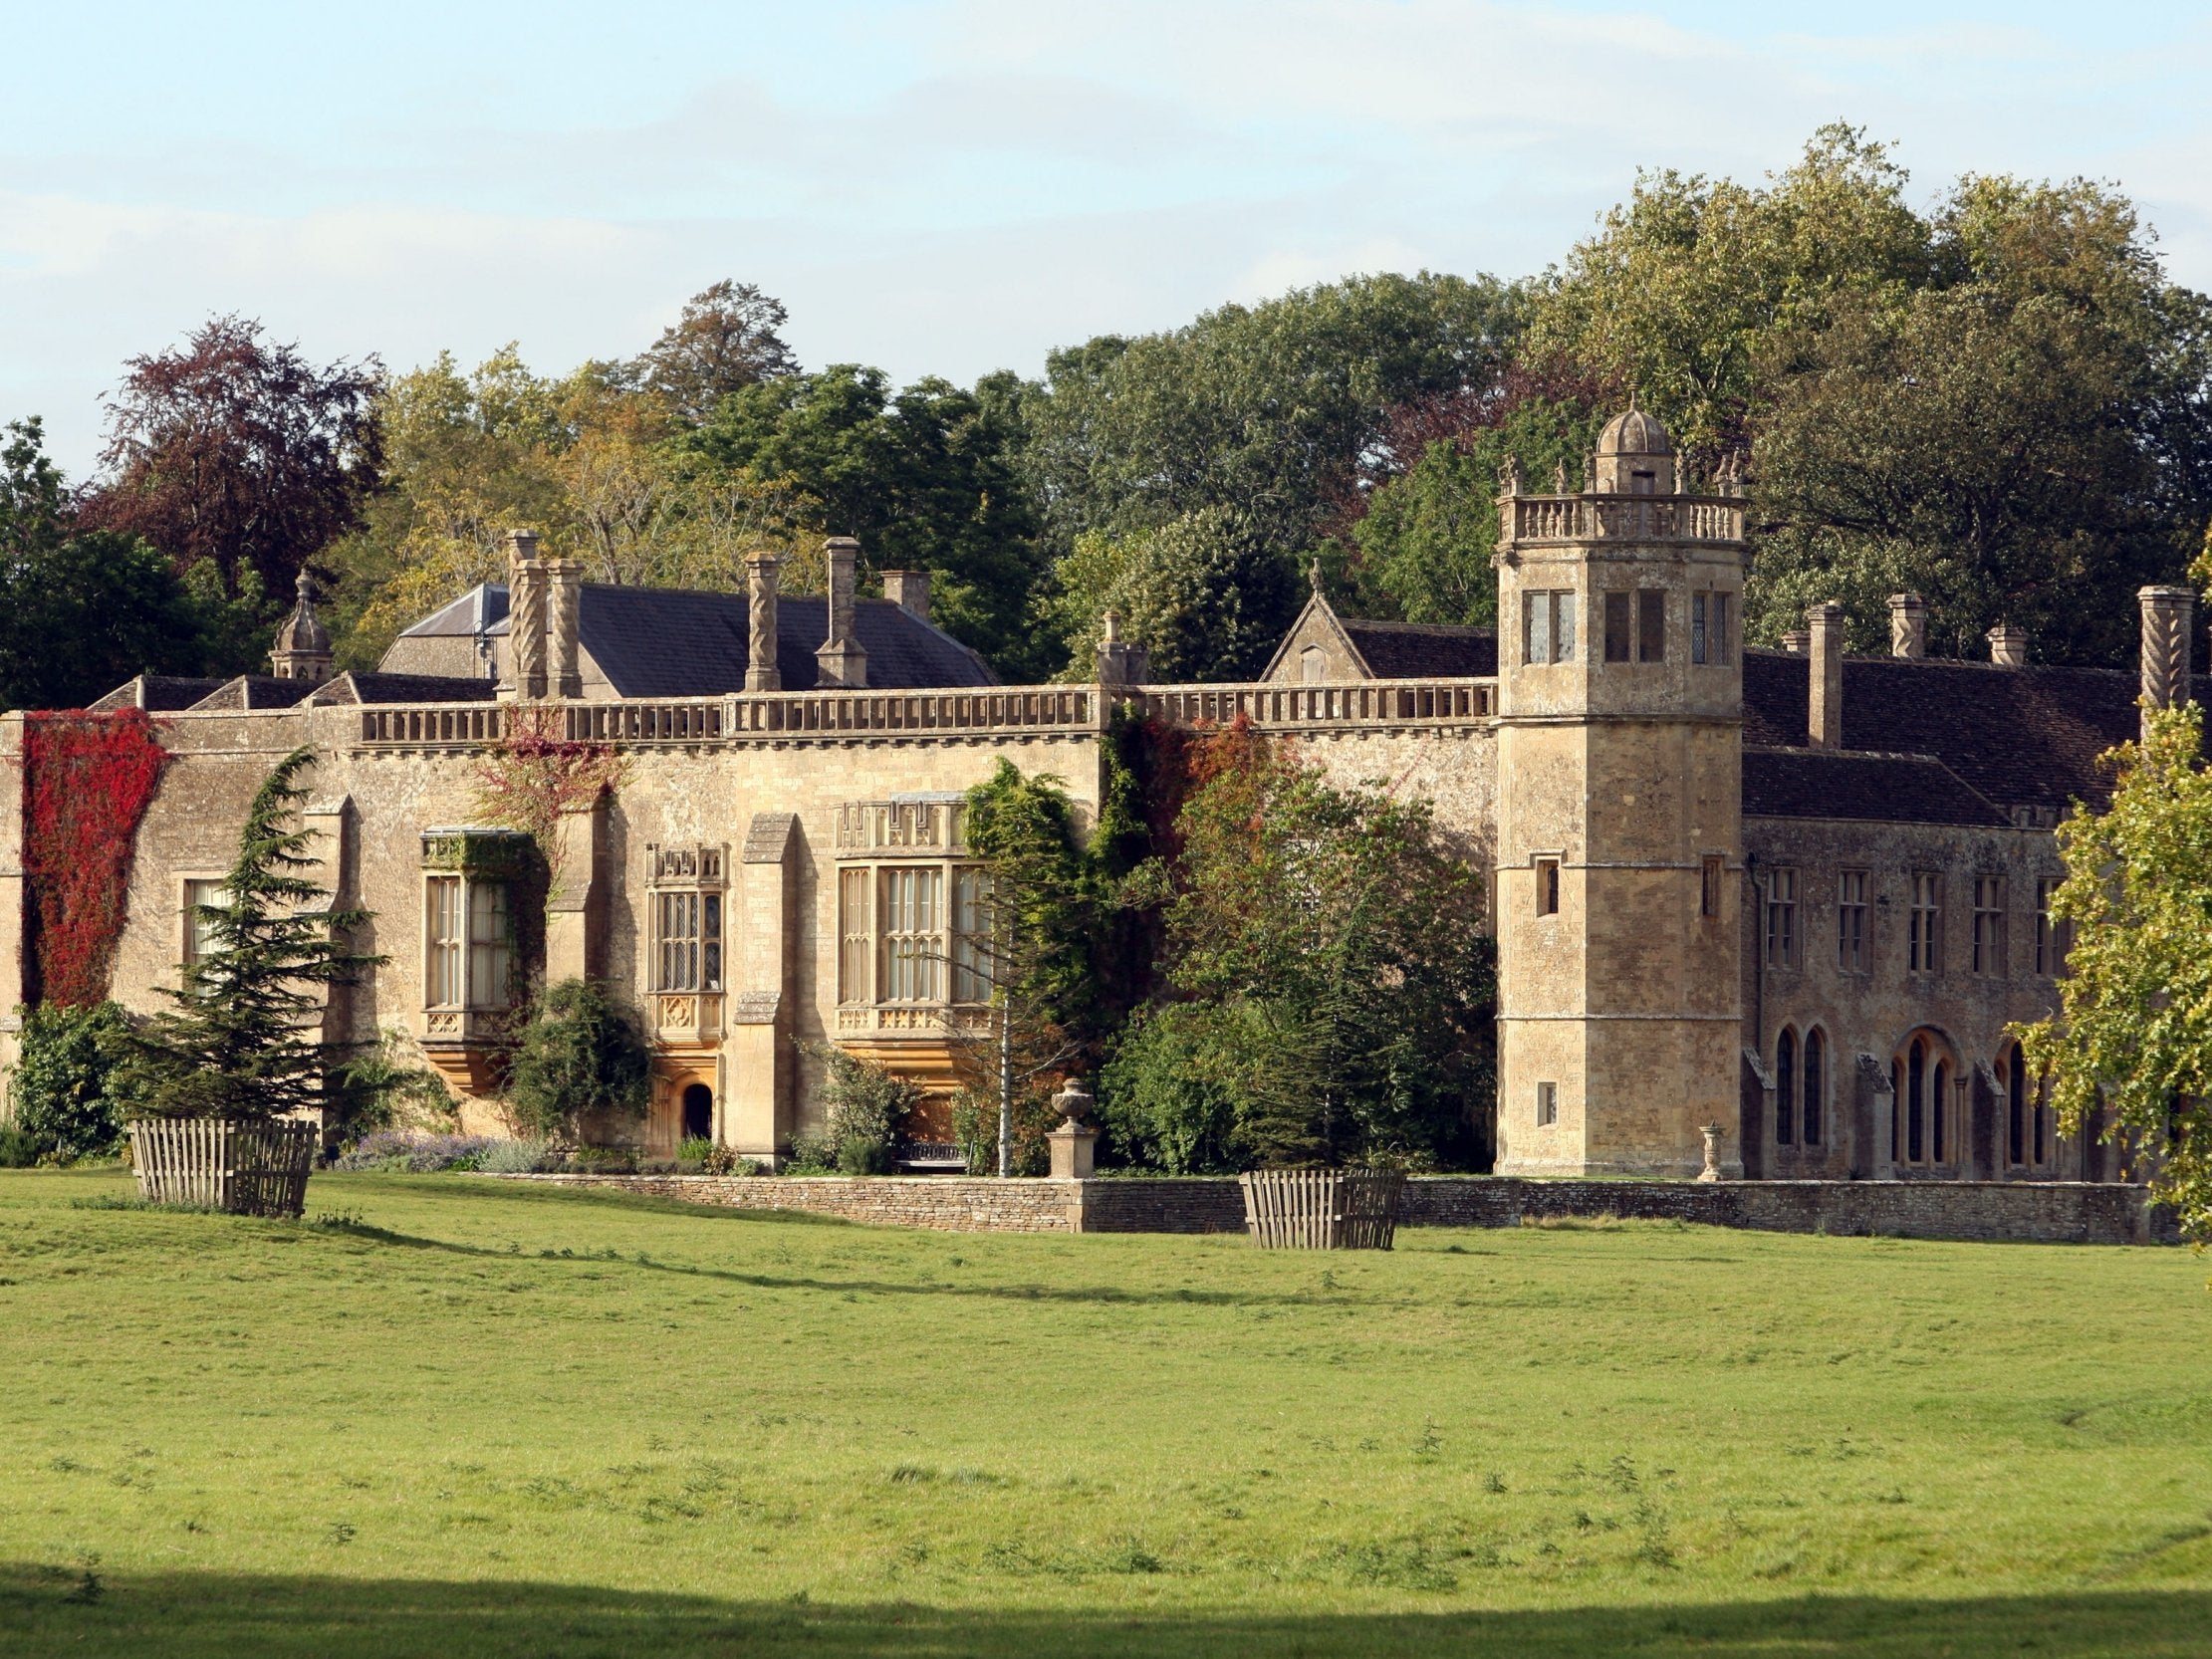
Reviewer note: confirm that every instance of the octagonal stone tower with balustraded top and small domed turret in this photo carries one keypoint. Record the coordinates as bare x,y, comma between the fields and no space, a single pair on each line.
1620,817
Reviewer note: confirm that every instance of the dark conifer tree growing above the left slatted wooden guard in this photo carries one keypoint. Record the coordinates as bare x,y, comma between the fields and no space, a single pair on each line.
242,1041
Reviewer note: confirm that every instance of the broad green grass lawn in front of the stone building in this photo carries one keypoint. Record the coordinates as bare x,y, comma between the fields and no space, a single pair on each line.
477,1417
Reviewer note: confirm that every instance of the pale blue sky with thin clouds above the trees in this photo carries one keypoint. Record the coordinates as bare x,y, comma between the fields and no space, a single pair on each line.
948,187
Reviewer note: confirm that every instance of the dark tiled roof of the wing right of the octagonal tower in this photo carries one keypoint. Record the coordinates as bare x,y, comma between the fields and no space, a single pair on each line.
2023,738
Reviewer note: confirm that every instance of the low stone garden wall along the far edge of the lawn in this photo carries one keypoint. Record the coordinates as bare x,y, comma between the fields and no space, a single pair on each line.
1990,1211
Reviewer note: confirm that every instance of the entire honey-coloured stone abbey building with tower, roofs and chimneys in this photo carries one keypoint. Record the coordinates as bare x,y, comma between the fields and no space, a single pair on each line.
1795,895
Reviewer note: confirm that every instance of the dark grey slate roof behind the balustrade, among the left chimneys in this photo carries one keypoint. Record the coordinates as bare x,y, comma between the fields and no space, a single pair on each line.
678,643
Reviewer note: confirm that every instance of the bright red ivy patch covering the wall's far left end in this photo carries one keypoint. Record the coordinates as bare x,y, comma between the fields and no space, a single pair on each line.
87,782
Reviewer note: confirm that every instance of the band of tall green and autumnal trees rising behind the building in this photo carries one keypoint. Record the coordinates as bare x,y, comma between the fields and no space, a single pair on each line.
1994,399
